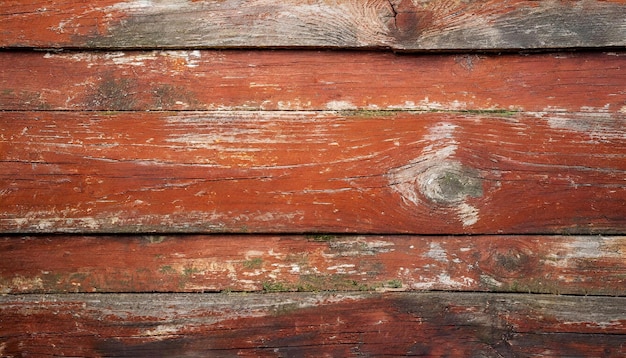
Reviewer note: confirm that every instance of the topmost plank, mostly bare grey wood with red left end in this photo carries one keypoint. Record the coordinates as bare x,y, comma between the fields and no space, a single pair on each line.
395,24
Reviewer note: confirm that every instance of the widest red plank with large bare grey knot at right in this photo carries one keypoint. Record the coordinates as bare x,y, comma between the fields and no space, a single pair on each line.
381,172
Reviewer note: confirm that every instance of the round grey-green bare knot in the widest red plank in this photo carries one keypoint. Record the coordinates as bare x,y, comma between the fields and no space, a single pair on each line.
450,183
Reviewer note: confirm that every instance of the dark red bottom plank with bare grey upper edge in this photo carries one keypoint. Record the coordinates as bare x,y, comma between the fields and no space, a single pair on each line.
306,325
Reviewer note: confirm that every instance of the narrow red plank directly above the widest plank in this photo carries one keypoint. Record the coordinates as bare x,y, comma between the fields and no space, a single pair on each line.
302,80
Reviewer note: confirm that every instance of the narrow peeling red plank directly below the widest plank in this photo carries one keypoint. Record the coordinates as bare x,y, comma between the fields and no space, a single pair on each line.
539,264
